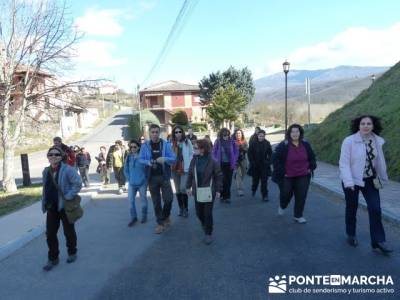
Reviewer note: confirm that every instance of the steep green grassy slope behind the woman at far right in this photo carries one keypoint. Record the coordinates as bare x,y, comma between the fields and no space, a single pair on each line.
381,99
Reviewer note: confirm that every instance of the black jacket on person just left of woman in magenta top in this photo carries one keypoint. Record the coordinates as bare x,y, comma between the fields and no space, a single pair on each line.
260,155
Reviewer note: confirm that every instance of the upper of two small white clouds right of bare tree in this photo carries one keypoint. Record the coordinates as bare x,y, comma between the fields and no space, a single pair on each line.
103,22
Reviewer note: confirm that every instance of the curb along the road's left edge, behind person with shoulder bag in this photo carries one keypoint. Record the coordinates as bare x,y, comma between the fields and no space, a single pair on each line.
12,246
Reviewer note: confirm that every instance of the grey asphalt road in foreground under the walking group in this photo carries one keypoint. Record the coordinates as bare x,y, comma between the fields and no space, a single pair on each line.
251,244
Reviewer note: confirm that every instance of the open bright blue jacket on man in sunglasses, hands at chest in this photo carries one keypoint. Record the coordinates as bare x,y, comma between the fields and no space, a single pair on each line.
167,153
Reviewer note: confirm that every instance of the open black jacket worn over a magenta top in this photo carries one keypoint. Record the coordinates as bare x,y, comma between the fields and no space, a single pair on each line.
279,159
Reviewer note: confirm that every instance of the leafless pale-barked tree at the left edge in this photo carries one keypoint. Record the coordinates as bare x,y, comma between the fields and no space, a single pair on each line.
37,40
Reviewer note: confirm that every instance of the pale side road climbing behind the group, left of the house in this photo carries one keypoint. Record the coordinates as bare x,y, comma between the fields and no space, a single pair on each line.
114,128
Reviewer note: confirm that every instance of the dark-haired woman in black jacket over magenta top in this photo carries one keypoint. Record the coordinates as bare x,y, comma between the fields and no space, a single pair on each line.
294,163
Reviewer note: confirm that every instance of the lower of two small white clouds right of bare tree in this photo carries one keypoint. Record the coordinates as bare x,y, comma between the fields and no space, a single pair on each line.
98,54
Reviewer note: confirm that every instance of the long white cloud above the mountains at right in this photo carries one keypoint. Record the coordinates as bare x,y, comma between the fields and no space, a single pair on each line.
357,46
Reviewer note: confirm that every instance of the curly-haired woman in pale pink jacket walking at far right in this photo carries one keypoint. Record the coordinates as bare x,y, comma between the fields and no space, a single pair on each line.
363,168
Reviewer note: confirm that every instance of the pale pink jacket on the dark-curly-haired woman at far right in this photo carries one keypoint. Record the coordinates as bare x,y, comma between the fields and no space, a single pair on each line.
353,157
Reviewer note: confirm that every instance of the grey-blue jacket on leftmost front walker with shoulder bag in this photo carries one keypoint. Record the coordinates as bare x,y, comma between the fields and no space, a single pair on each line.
69,183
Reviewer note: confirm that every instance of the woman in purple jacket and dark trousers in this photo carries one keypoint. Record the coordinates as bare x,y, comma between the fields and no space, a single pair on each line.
226,152
